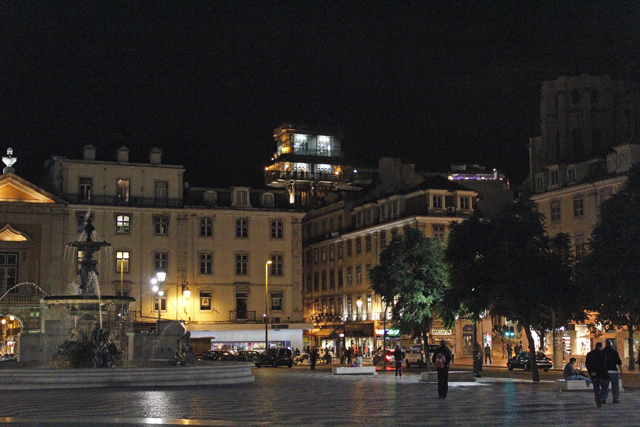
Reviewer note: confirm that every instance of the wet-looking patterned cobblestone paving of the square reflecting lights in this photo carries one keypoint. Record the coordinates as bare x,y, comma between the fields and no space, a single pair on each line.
300,397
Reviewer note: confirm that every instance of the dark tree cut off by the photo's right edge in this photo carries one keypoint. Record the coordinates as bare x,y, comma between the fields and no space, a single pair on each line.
610,272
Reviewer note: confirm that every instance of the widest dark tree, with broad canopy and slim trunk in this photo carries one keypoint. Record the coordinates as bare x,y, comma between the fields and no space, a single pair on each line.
506,264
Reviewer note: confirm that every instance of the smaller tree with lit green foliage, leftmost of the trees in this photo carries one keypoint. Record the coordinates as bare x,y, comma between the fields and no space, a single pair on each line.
411,278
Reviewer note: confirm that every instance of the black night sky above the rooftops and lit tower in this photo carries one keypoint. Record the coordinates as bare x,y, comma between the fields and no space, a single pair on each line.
436,82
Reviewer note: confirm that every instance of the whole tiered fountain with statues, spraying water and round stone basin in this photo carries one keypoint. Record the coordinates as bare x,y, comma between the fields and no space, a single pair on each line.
89,330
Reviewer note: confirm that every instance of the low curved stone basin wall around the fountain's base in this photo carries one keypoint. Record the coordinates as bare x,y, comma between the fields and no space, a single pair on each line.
170,376
